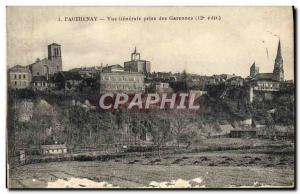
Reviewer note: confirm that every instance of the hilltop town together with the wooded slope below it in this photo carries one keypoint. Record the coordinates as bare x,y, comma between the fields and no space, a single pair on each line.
54,112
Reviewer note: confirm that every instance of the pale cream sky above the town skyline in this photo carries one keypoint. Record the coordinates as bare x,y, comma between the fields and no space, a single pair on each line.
243,35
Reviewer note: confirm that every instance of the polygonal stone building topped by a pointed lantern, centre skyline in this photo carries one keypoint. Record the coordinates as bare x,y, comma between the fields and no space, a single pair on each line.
136,64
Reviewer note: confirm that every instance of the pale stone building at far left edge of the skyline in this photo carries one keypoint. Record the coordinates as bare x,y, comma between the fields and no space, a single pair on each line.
19,77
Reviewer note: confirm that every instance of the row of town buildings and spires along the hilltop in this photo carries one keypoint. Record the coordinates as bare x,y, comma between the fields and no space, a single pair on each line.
135,76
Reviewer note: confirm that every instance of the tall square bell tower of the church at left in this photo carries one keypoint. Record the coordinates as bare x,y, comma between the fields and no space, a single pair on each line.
54,55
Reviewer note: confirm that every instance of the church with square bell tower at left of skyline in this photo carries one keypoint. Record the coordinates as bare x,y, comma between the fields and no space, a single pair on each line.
48,66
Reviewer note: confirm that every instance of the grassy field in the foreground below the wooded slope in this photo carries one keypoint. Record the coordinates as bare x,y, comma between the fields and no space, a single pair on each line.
208,169
